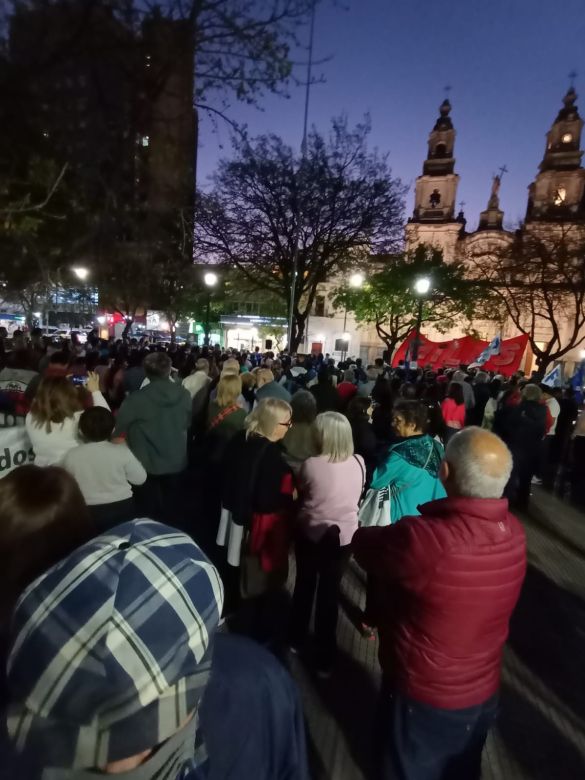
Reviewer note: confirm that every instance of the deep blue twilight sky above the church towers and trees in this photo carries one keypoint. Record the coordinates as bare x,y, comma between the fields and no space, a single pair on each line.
507,62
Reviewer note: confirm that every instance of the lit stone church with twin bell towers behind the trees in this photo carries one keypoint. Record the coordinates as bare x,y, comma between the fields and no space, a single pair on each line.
556,203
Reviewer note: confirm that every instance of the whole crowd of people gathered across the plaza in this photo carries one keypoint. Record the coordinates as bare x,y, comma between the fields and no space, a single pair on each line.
145,612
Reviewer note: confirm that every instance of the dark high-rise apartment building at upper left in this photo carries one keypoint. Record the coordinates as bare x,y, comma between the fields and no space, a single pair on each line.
113,97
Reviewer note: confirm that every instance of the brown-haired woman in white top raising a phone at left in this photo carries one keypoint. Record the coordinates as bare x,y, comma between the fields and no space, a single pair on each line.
53,421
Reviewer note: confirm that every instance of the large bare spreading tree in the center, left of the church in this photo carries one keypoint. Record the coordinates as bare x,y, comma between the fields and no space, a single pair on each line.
349,202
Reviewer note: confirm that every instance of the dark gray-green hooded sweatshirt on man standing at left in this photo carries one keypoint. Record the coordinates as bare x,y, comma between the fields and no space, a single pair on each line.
155,422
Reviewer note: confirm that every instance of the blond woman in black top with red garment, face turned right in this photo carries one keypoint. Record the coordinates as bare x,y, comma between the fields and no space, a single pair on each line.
257,499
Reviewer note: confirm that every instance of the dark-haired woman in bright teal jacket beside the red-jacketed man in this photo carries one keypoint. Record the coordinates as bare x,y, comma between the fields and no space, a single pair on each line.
411,468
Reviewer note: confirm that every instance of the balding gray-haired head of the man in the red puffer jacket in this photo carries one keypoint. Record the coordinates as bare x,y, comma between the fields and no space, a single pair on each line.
478,470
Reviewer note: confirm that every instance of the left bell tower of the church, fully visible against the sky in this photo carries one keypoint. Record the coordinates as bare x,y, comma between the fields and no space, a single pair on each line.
433,220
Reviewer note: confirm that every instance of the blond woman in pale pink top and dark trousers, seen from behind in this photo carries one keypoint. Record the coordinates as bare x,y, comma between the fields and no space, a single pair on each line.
330,486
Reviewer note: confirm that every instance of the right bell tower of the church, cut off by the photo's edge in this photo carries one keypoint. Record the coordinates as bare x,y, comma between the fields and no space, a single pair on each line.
558,192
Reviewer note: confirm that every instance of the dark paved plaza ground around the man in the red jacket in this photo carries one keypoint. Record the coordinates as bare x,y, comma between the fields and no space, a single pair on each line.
540,734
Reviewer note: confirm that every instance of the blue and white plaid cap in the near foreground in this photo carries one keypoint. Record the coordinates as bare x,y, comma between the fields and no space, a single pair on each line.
111,648
